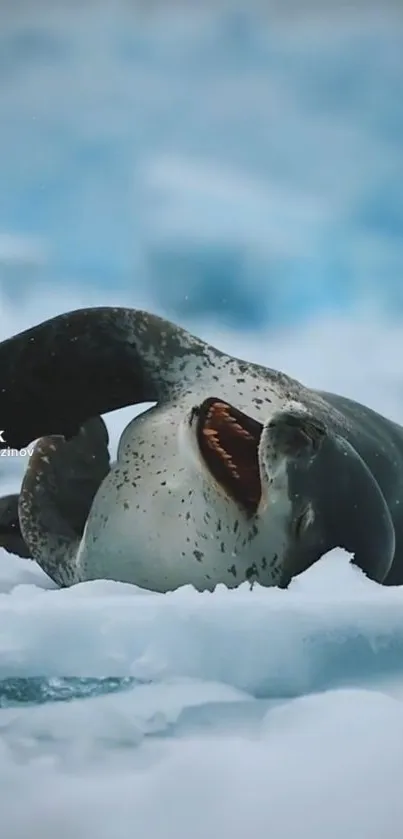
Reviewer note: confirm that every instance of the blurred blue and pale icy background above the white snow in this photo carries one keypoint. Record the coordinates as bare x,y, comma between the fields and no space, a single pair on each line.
238,162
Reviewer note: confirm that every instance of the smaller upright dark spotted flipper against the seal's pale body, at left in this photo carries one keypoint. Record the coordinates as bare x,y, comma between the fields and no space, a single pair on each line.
57,492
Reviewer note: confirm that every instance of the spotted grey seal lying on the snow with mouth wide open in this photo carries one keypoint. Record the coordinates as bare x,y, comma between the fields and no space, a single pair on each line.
237,472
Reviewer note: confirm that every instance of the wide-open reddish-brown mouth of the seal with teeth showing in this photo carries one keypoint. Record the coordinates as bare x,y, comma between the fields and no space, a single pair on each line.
228,441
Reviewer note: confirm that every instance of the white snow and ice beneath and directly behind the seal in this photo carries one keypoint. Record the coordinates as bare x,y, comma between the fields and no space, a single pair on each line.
250,711
